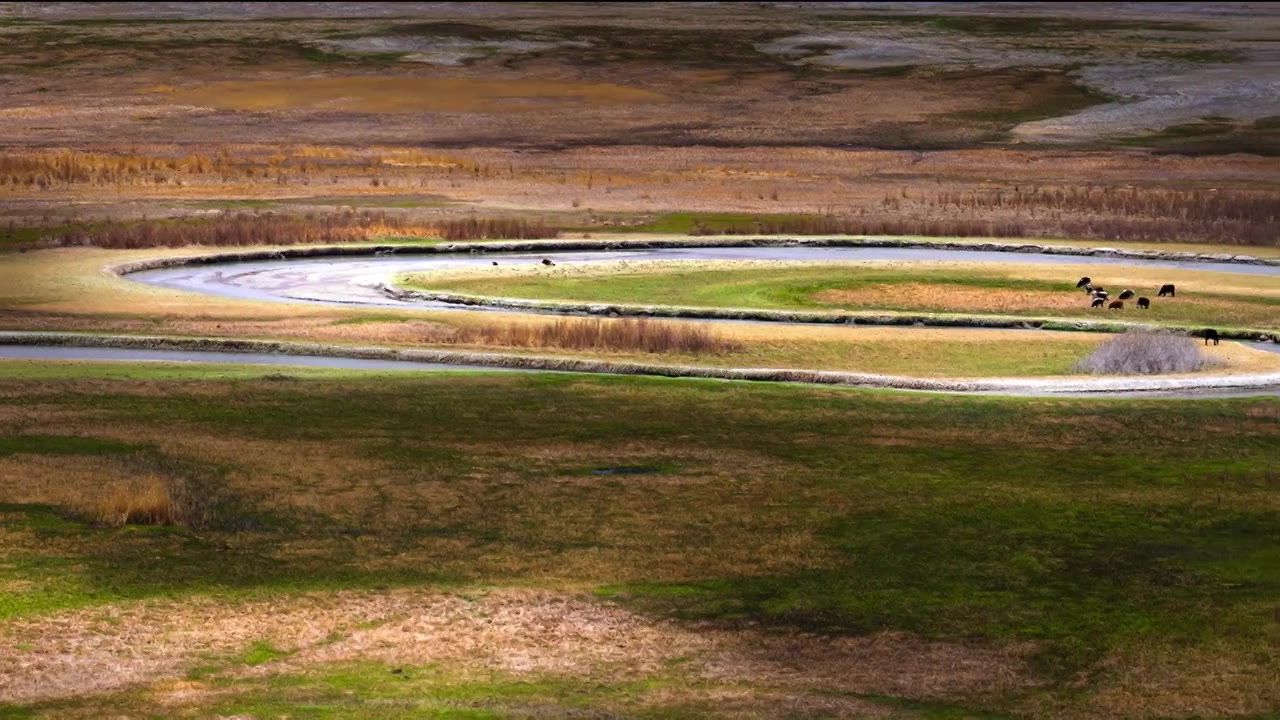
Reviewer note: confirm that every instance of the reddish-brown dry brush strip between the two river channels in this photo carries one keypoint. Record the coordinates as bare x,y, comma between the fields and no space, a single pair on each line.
621,336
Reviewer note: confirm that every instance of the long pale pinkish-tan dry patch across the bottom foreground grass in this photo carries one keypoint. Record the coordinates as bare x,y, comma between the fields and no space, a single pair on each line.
510,631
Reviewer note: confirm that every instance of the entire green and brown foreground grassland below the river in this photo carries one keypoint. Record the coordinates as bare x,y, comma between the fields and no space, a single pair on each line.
360,531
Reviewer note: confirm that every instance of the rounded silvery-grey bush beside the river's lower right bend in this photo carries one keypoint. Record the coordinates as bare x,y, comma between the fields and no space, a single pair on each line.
1146,353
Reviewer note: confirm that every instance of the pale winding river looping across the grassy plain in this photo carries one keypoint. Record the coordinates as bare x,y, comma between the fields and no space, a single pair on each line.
359,280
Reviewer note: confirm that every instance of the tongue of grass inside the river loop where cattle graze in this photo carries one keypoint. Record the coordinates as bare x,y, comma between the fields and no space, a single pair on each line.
1205,298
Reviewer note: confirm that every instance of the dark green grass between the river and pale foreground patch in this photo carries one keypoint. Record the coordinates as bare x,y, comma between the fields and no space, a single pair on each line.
1082,526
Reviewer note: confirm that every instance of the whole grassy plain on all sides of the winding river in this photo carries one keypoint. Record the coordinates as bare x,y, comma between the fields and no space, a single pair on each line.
266,543
